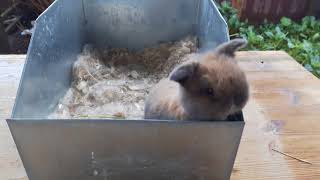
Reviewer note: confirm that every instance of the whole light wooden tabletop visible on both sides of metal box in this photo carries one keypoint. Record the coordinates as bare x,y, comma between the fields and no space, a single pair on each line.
282,115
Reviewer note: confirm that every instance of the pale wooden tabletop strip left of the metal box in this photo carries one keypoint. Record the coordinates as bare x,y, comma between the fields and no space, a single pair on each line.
10,70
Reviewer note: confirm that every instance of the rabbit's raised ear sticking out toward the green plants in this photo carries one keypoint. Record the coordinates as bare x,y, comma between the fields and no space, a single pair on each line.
229,48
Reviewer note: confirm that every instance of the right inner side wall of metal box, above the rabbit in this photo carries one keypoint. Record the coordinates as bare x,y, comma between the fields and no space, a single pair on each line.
212,28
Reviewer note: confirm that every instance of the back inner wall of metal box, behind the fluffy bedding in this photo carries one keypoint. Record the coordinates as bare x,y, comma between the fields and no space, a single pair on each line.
136,24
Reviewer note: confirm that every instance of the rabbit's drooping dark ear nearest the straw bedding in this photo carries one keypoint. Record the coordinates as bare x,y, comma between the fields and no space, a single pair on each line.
184,72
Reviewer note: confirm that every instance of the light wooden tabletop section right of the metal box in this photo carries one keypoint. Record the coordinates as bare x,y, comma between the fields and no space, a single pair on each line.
283,114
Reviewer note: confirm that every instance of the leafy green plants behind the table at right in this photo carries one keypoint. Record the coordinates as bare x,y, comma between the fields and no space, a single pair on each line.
299,39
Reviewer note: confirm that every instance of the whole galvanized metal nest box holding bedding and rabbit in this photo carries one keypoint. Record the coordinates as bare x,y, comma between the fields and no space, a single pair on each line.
56,149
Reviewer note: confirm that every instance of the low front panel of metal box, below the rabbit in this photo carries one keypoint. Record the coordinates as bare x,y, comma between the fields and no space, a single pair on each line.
115,149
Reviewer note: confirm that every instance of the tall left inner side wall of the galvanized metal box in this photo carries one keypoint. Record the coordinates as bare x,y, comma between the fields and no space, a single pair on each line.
57,39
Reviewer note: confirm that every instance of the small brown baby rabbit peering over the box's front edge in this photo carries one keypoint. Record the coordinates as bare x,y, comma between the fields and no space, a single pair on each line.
208,87
